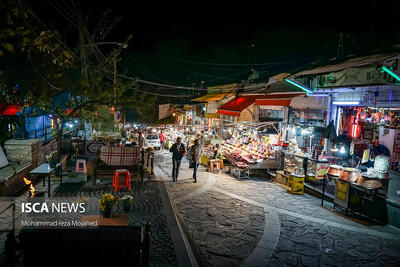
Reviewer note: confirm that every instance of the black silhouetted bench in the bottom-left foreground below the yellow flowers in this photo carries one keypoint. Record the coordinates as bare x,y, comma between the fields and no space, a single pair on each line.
101,246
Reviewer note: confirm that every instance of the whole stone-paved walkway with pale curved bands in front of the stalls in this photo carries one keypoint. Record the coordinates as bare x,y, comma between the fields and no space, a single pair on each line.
257,223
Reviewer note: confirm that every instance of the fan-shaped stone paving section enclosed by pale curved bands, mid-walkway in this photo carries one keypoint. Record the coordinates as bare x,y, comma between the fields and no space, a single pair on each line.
226,230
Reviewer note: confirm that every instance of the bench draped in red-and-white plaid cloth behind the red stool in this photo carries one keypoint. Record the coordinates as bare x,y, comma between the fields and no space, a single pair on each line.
110,158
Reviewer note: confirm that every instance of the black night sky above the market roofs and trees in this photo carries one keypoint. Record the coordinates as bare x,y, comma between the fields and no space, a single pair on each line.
172,43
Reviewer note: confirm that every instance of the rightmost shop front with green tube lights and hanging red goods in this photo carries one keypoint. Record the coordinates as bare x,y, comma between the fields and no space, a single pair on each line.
358,140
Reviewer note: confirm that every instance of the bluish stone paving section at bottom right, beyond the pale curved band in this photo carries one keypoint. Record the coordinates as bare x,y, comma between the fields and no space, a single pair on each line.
314,244
